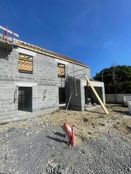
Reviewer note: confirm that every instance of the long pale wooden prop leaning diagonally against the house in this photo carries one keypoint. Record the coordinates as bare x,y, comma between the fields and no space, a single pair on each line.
97,96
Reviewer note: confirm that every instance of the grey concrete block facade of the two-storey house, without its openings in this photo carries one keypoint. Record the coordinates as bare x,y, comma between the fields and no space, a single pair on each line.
44,81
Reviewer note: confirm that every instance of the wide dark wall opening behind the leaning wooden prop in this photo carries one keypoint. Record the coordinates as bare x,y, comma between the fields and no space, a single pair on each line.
90,96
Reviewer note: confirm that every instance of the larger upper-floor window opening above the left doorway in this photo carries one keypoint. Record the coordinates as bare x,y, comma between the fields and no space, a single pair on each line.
30,60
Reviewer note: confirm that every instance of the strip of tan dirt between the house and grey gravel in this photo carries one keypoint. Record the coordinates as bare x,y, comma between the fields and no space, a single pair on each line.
87,124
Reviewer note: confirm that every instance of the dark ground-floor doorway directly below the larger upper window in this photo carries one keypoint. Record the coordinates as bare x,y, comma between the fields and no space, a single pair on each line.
25,99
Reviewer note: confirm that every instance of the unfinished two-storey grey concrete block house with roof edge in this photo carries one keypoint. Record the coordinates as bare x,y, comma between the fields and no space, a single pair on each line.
36,79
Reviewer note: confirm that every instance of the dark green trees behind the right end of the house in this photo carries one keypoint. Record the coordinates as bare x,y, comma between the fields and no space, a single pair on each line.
117,79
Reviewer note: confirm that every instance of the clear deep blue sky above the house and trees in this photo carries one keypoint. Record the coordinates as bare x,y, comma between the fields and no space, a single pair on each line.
96,32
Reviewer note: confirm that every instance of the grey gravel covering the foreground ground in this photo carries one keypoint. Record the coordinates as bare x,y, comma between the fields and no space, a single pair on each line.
38,147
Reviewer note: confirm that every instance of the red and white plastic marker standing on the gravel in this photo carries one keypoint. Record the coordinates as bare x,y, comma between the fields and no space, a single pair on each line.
70,133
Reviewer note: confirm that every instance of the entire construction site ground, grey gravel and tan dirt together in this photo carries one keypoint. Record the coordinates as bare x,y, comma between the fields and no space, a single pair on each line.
39,146
